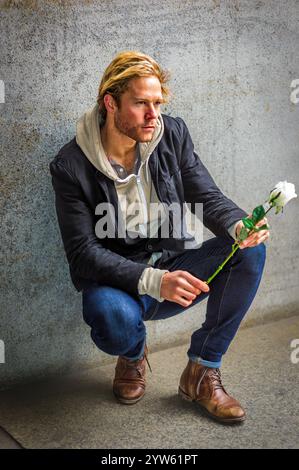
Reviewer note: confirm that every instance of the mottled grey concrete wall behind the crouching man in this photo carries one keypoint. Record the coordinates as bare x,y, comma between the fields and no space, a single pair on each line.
232,65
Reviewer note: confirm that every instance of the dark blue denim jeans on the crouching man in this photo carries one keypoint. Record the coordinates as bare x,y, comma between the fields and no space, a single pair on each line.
117,318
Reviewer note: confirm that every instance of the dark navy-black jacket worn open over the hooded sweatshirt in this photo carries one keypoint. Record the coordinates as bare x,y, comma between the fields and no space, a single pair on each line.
178,176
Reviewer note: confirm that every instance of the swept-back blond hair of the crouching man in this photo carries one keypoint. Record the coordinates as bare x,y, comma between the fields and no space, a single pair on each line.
125,66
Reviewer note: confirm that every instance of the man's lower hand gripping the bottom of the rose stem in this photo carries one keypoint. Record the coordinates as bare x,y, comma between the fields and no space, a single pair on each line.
181,287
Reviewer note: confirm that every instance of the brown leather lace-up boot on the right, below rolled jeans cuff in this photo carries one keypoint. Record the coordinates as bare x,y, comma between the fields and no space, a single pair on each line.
203,385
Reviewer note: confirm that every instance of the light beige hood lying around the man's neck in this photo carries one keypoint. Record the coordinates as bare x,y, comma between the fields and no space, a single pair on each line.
88,137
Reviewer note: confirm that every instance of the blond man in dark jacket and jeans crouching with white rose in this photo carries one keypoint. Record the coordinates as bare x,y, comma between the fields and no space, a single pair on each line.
127,155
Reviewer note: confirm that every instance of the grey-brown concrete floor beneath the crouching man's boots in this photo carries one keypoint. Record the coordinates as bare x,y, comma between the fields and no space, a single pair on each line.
79,410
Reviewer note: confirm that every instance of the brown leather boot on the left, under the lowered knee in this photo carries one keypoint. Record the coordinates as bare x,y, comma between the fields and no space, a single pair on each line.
129,381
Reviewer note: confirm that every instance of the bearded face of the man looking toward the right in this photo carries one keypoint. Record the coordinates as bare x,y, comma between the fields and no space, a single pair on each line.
139,109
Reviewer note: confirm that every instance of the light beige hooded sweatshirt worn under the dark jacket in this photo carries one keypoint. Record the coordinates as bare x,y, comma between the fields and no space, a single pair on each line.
135,192
